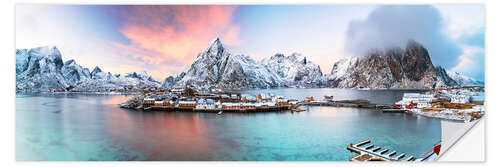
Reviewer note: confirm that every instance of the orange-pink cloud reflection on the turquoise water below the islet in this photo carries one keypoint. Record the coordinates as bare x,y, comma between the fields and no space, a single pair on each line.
162,134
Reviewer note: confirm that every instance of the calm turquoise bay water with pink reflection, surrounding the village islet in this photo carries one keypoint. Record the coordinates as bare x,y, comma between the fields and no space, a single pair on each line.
93,127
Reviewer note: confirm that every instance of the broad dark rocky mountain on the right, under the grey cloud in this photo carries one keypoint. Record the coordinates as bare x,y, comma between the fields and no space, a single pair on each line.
392,68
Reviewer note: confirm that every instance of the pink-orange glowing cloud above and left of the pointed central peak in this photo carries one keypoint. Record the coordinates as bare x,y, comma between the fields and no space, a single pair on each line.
166,36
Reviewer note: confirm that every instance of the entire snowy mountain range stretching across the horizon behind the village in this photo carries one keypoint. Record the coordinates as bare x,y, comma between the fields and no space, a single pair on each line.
42,69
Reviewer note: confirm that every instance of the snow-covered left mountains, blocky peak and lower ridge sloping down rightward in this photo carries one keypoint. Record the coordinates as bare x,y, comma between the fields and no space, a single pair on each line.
42,69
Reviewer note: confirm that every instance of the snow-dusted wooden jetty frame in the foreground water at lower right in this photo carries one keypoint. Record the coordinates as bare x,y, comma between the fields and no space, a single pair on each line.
369,152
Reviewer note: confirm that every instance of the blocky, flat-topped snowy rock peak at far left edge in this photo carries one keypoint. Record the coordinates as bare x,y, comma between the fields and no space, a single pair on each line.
39,69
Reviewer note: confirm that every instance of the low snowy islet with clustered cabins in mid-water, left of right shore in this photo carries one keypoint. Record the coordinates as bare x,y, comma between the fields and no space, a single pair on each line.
216,100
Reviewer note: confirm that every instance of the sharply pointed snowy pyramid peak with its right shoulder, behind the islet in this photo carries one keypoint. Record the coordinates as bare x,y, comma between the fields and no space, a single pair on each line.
216,67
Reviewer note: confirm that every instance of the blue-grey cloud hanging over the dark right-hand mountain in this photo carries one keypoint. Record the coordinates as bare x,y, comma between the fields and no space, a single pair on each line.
389,26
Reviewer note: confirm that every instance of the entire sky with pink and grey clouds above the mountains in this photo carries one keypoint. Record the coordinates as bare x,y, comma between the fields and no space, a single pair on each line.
165,39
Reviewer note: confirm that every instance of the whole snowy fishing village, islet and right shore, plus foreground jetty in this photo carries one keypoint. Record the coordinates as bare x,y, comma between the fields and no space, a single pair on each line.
456,104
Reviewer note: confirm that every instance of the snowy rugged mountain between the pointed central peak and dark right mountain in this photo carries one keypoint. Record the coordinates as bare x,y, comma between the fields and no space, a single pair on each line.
295,70
